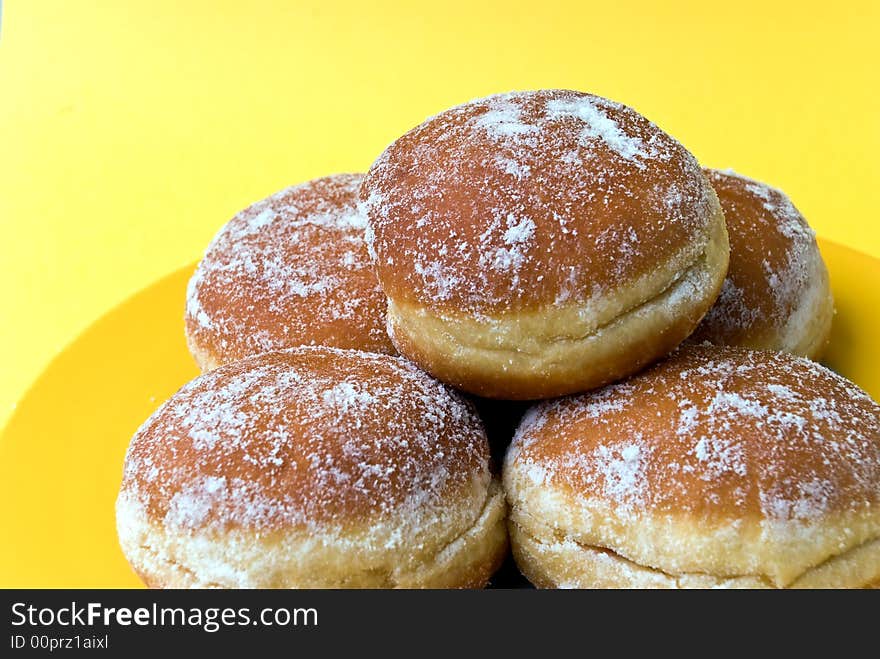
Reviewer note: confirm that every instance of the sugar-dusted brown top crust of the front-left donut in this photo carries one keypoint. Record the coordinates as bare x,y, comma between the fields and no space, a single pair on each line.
303,438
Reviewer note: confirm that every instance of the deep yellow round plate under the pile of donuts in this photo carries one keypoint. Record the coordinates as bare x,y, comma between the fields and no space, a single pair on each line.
61,454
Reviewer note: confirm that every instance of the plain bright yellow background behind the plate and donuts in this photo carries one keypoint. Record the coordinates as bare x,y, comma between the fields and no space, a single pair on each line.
130,131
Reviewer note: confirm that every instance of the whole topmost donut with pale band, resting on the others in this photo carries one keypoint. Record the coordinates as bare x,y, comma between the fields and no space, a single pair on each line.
539,243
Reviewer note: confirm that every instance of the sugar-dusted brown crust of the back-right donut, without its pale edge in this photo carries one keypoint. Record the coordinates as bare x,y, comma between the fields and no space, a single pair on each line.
773,257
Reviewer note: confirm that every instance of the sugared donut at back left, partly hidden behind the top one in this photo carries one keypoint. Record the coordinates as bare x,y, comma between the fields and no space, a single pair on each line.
286,271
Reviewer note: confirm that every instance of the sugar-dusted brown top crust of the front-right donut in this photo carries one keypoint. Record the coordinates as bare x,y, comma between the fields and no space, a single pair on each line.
712,433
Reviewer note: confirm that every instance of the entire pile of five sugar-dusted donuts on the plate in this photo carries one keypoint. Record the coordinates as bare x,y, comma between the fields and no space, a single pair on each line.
368,342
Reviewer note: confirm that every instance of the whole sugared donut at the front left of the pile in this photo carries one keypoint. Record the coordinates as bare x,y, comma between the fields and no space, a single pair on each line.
312,467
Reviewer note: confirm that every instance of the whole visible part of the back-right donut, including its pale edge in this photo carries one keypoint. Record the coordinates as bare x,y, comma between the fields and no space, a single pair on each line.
776,295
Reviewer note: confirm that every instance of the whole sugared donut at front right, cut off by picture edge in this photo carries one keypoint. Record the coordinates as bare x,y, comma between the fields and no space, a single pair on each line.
721,467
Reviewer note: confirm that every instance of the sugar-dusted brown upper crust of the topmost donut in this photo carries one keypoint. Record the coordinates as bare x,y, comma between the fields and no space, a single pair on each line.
527,199
